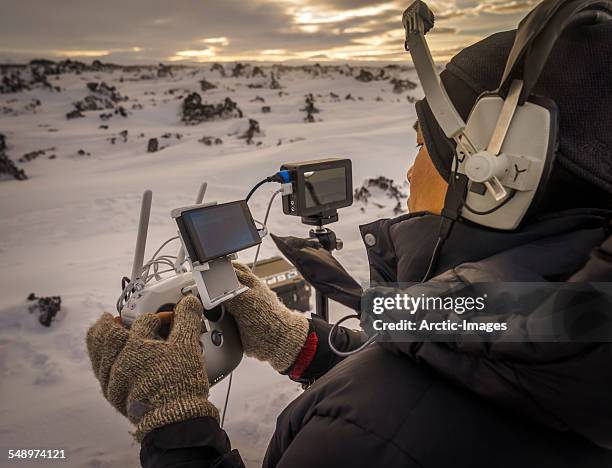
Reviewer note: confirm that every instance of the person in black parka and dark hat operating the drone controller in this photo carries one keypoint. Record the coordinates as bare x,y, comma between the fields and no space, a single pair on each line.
420,404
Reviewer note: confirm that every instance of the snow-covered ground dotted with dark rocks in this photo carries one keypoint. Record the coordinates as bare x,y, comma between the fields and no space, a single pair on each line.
69,229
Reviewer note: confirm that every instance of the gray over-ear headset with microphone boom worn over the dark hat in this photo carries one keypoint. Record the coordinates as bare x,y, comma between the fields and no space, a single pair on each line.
505,151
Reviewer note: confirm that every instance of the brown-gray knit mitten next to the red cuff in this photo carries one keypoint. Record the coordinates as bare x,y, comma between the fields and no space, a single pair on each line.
268,330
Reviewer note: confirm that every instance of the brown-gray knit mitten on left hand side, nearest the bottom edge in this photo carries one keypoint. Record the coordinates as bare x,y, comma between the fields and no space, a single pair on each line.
153,382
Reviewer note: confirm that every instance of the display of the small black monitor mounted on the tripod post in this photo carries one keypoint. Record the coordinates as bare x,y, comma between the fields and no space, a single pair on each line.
324,186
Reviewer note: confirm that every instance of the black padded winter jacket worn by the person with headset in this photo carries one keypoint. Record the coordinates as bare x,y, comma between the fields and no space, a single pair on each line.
437,405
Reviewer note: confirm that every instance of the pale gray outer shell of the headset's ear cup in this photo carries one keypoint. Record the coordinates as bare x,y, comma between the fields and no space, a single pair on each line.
529,149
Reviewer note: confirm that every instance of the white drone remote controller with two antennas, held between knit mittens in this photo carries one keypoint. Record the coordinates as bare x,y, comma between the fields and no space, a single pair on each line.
148,291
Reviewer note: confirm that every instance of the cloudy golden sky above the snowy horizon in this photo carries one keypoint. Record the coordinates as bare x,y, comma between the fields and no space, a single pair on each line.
184,31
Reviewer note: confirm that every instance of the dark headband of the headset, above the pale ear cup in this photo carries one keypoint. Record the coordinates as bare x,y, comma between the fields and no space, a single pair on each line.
538,32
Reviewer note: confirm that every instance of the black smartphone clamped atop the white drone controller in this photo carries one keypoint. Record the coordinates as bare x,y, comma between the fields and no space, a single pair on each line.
218,230
